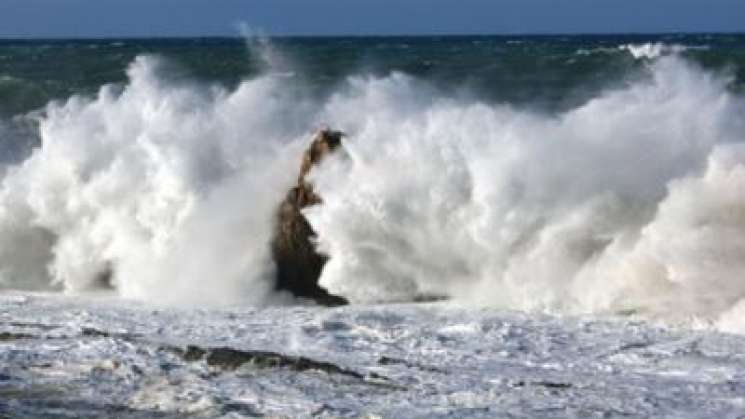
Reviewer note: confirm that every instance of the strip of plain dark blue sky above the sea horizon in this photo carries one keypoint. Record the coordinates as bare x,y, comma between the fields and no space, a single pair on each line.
112,18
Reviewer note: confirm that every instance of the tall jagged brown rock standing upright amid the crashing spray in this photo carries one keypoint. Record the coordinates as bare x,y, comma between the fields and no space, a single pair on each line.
298,263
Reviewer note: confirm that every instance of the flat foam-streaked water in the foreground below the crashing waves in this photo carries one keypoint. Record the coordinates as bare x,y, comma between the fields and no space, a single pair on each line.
103,356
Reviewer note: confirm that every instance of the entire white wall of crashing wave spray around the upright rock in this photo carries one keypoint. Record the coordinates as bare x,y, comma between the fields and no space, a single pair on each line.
631,200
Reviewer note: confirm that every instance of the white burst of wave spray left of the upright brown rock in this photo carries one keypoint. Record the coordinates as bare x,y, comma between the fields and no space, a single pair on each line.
171,185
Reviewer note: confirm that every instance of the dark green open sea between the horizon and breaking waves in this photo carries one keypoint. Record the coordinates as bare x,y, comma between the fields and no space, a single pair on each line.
549,72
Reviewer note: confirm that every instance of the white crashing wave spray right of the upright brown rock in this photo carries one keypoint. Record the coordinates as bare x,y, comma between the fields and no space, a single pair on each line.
593,210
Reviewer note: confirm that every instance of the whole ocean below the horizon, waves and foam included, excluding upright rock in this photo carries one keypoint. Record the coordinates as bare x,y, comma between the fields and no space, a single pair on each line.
579,201
